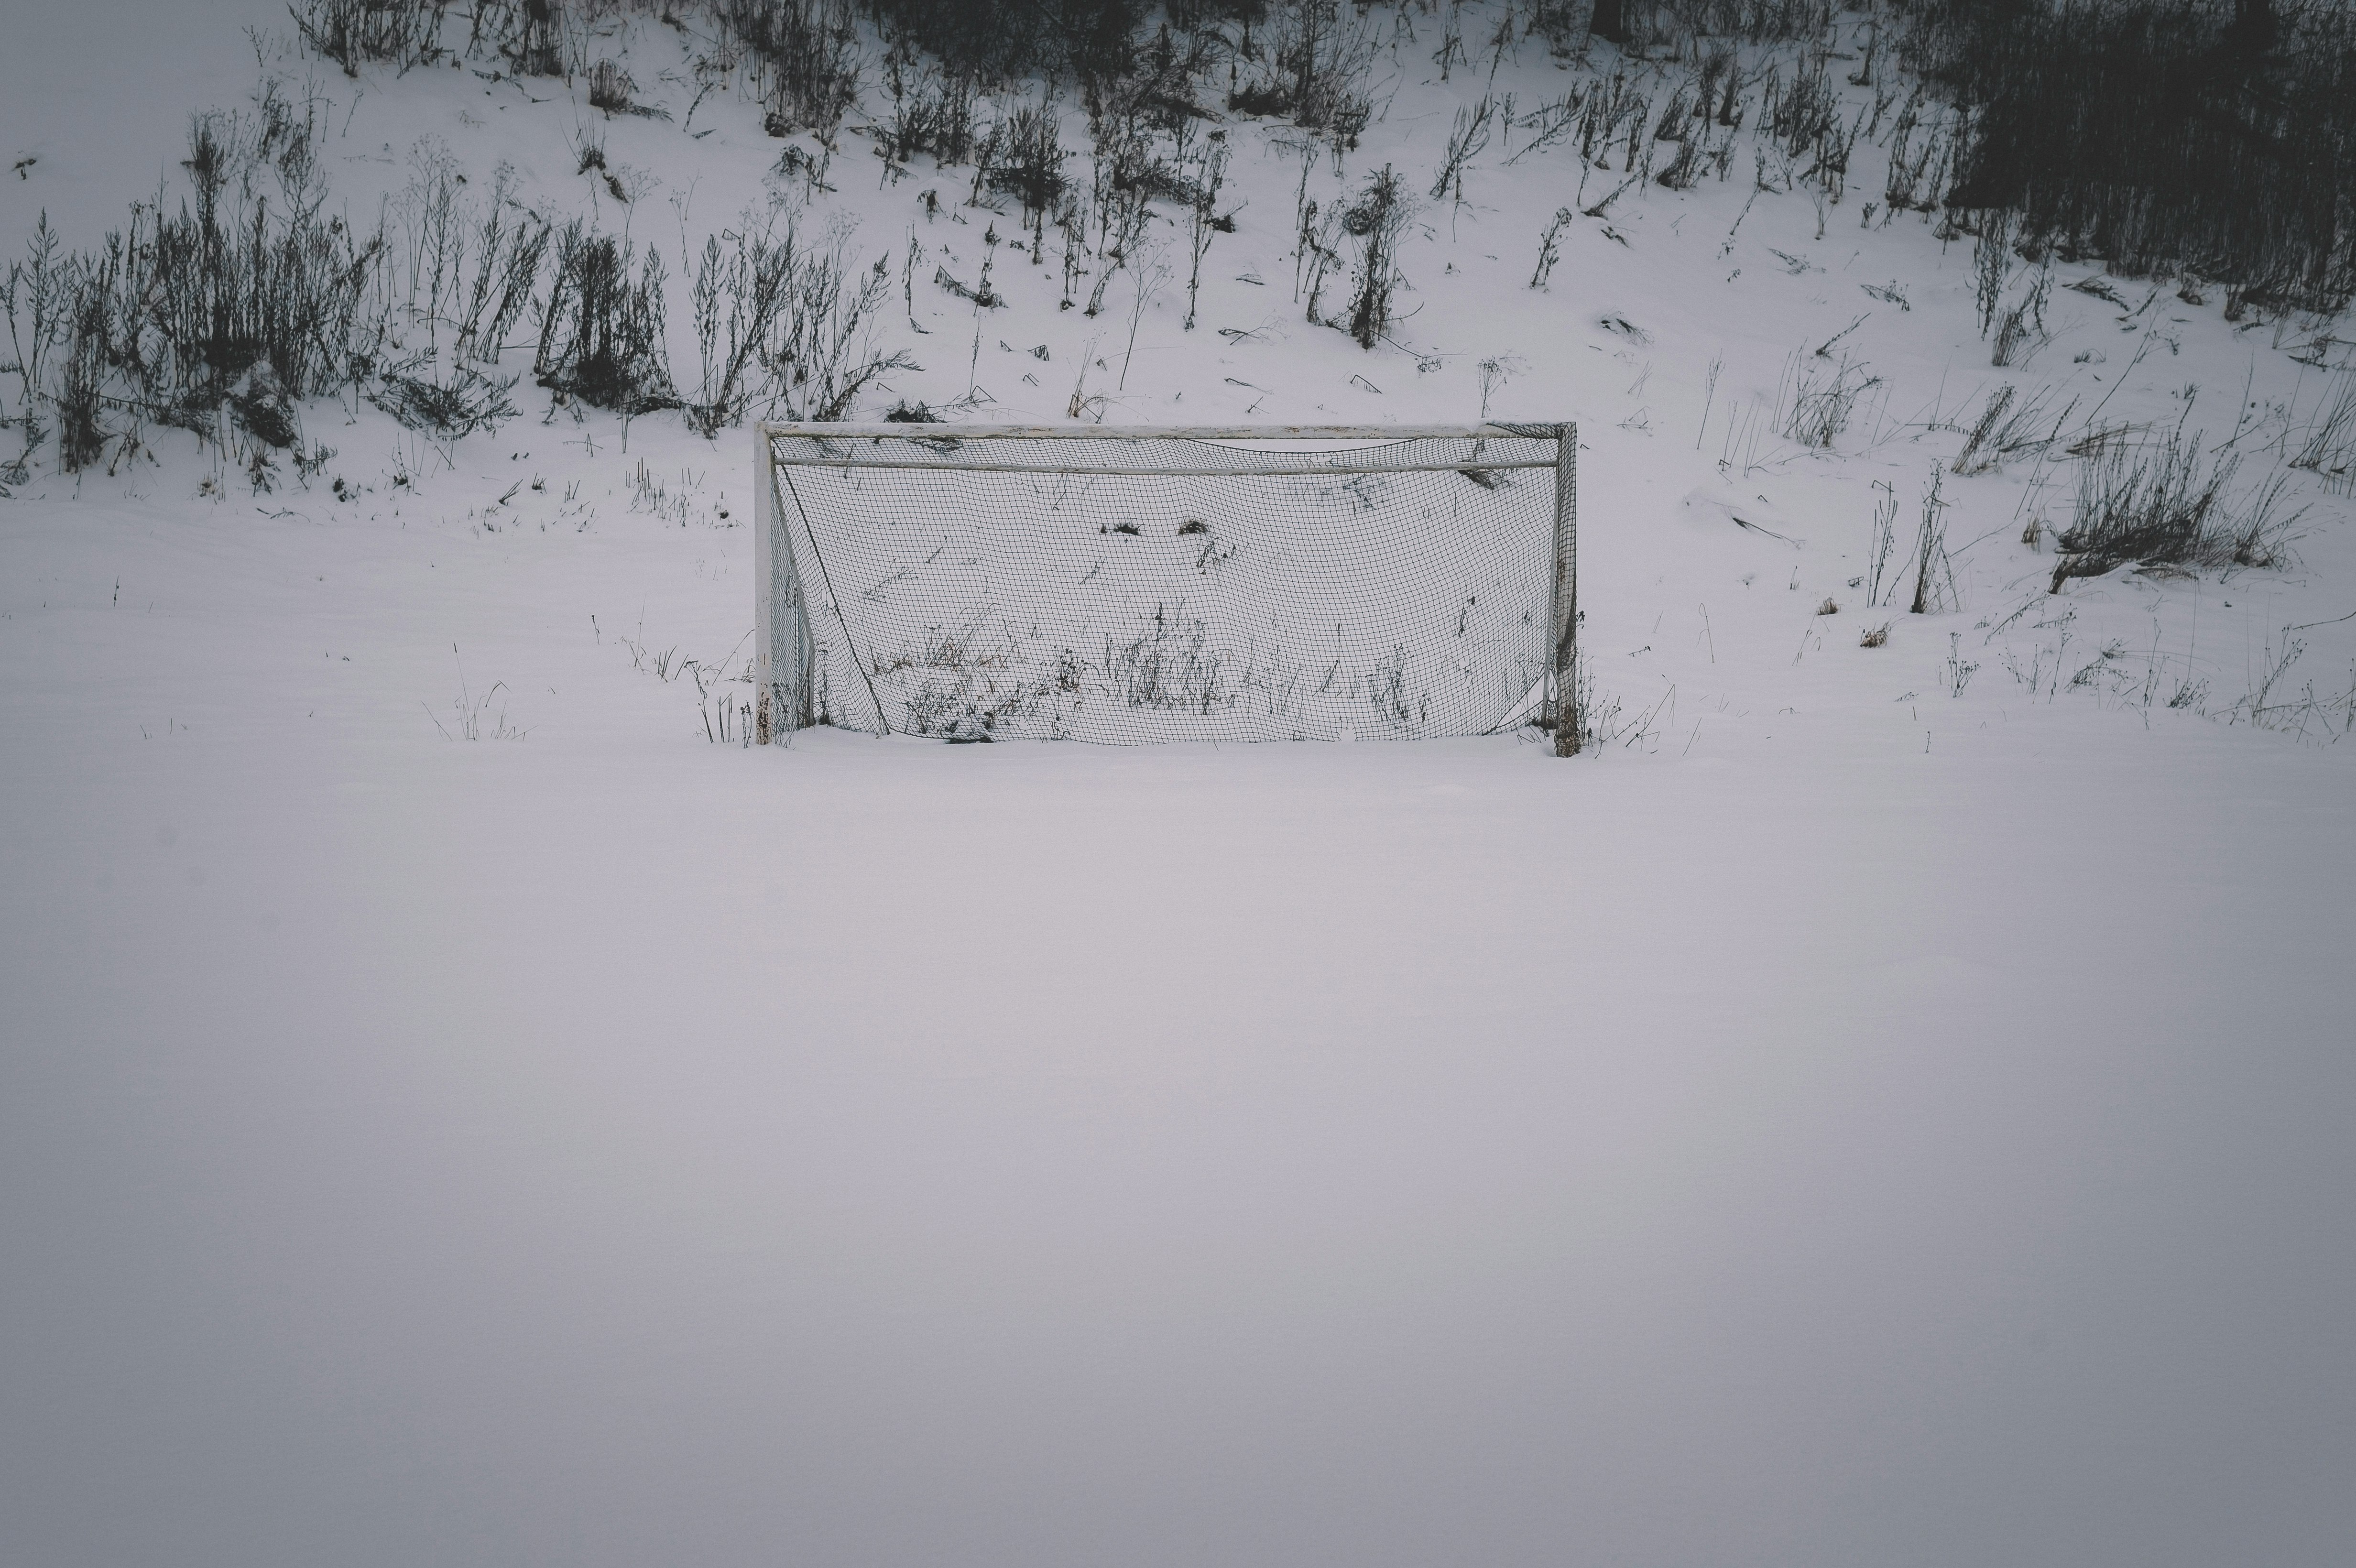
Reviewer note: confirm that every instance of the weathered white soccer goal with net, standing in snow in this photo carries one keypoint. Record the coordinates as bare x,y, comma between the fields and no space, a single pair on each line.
1153,585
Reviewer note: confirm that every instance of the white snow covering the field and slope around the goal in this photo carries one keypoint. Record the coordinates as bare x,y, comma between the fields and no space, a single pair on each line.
1891,1105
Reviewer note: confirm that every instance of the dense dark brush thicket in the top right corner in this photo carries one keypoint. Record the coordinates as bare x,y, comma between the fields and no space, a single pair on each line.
2204,140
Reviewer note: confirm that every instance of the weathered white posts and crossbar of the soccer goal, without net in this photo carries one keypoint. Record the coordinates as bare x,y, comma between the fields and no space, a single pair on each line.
786,649
